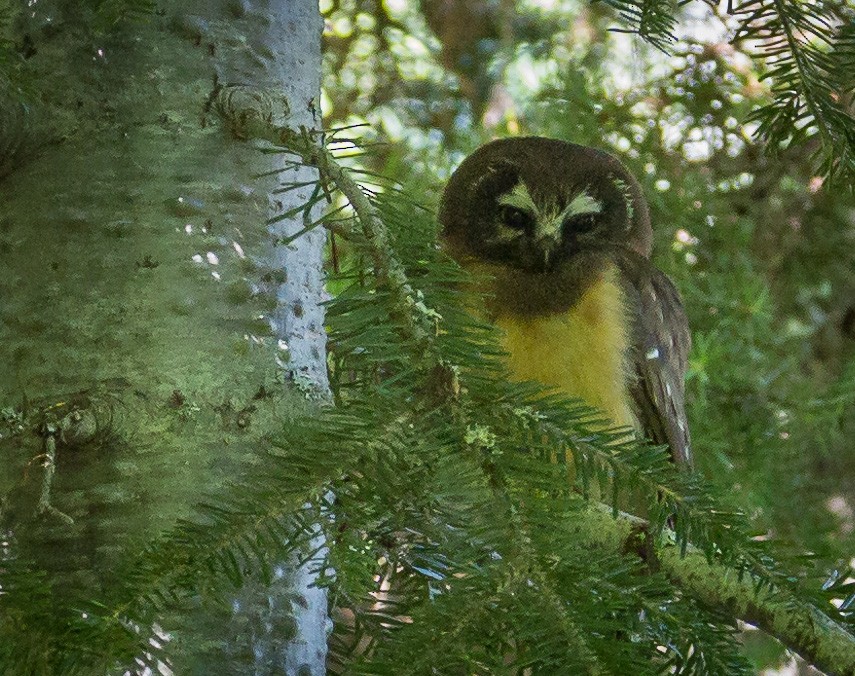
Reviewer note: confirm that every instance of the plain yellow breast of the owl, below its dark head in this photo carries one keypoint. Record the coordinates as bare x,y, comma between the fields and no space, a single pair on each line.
583,352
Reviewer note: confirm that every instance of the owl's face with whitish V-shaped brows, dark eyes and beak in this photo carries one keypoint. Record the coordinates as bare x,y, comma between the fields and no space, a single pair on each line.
538,236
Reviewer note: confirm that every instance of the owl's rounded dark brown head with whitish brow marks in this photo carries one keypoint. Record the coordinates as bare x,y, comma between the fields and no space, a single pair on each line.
534,203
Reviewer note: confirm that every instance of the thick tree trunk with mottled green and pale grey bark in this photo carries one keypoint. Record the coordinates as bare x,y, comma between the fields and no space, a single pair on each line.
133,263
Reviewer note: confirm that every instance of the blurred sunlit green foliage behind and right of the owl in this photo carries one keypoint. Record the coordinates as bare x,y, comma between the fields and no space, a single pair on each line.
761,244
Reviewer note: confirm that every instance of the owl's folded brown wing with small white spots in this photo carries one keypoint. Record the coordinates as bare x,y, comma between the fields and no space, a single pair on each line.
664,340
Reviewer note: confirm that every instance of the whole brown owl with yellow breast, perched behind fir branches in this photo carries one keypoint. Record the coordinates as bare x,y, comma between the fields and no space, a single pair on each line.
565,232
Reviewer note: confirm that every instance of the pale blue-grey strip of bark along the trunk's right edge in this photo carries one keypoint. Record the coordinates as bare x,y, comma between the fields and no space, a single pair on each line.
290,32
